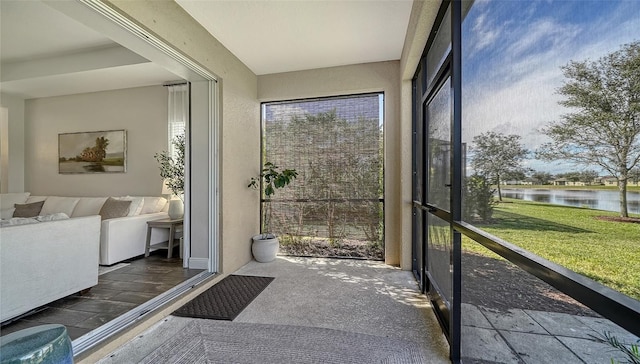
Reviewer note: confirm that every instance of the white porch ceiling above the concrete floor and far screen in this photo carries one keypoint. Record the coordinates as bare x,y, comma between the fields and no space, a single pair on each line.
272,36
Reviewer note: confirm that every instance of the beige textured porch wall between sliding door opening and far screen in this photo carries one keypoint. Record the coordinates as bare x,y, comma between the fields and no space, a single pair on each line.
239,116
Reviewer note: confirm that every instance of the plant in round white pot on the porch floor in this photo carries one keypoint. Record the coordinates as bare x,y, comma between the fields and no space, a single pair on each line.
265,245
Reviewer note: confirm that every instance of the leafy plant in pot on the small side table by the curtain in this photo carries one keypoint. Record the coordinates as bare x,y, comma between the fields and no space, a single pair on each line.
172,172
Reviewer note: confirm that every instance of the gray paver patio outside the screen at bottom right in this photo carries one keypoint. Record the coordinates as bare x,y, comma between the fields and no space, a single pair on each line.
528,336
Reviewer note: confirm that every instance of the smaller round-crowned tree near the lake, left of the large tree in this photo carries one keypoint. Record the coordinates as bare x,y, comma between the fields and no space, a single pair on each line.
496,155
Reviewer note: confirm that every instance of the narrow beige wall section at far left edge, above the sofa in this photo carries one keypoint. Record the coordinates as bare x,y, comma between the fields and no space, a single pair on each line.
15,127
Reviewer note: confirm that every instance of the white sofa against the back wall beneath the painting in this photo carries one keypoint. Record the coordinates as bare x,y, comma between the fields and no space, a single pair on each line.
121,237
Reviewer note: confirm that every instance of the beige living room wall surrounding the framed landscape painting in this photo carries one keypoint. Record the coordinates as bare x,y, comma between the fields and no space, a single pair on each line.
141,111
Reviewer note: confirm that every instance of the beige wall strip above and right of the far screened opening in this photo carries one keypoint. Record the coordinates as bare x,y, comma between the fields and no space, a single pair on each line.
354,79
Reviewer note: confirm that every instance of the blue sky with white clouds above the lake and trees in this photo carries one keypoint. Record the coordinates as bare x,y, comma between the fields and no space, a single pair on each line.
512,54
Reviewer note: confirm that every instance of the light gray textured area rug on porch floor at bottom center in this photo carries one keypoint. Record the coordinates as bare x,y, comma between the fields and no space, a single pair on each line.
207,341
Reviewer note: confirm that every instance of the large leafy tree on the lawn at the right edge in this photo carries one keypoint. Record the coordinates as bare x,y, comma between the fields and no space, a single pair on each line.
603,127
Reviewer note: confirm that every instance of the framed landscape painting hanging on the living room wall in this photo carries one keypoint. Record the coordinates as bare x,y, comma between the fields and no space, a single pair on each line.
92,152
